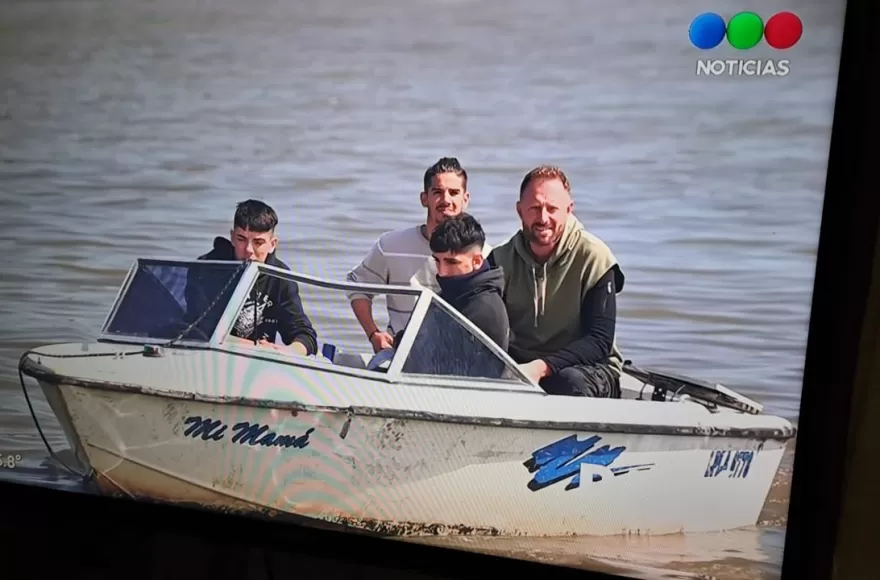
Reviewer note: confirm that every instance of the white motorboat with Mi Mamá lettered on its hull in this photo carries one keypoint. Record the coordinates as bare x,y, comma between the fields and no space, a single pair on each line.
450,437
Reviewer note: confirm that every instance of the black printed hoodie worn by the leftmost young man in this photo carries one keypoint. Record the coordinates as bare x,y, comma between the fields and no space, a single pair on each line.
273,306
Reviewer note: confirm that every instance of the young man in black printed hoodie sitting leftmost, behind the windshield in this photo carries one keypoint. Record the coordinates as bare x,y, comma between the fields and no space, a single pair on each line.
274,305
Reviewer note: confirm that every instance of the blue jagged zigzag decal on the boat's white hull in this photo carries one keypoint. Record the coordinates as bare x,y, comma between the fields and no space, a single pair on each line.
563,459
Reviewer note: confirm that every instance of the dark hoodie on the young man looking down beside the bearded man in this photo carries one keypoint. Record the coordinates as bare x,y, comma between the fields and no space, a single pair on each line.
478,297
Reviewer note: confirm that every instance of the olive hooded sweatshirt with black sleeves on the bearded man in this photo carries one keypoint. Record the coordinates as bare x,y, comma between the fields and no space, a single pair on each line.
547,303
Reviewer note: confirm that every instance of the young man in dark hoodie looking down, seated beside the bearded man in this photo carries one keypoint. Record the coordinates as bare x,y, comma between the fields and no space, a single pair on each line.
467,281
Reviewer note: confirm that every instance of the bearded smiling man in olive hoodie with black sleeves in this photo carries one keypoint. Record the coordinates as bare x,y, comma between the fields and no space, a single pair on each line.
560,291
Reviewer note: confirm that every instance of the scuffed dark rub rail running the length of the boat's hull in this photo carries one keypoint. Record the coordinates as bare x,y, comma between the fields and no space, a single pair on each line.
40,372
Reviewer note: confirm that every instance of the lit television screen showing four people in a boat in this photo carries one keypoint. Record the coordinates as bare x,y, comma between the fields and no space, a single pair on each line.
529,279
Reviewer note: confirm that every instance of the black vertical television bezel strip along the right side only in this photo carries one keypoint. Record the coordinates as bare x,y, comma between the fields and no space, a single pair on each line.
844,267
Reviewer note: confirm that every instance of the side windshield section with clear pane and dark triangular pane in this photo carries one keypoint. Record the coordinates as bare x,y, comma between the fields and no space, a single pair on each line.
435,343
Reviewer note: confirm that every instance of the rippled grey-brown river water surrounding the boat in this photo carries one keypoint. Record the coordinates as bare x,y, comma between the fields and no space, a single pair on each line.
132,128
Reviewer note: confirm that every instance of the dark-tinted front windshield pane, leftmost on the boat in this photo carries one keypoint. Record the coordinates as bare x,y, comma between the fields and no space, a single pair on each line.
163,300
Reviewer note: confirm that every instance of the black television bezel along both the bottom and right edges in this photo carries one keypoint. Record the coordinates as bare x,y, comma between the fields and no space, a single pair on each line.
115,536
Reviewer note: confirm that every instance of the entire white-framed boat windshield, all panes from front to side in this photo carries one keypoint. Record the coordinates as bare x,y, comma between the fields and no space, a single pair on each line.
201,302
